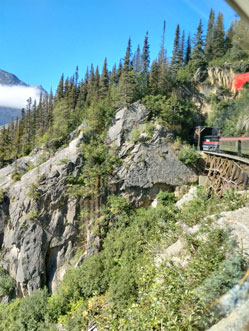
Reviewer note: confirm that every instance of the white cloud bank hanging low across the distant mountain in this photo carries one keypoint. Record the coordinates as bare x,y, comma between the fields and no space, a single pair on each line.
17,96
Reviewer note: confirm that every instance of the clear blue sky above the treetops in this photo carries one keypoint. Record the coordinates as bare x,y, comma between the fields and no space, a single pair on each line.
41,39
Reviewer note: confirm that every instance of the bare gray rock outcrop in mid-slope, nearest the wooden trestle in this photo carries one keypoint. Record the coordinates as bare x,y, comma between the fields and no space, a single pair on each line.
148,164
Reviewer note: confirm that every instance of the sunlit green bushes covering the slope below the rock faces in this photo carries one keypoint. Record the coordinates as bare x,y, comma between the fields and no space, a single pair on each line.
122,286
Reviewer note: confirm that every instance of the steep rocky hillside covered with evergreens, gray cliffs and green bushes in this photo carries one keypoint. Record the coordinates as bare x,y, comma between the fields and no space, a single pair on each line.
91,234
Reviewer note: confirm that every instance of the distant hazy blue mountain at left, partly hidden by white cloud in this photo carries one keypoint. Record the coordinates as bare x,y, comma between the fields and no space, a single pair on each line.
9,81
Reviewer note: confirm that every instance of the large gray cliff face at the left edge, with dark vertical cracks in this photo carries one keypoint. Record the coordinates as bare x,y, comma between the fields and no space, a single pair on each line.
38,228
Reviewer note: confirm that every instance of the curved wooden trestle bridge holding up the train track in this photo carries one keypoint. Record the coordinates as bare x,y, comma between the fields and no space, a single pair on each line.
226,170
